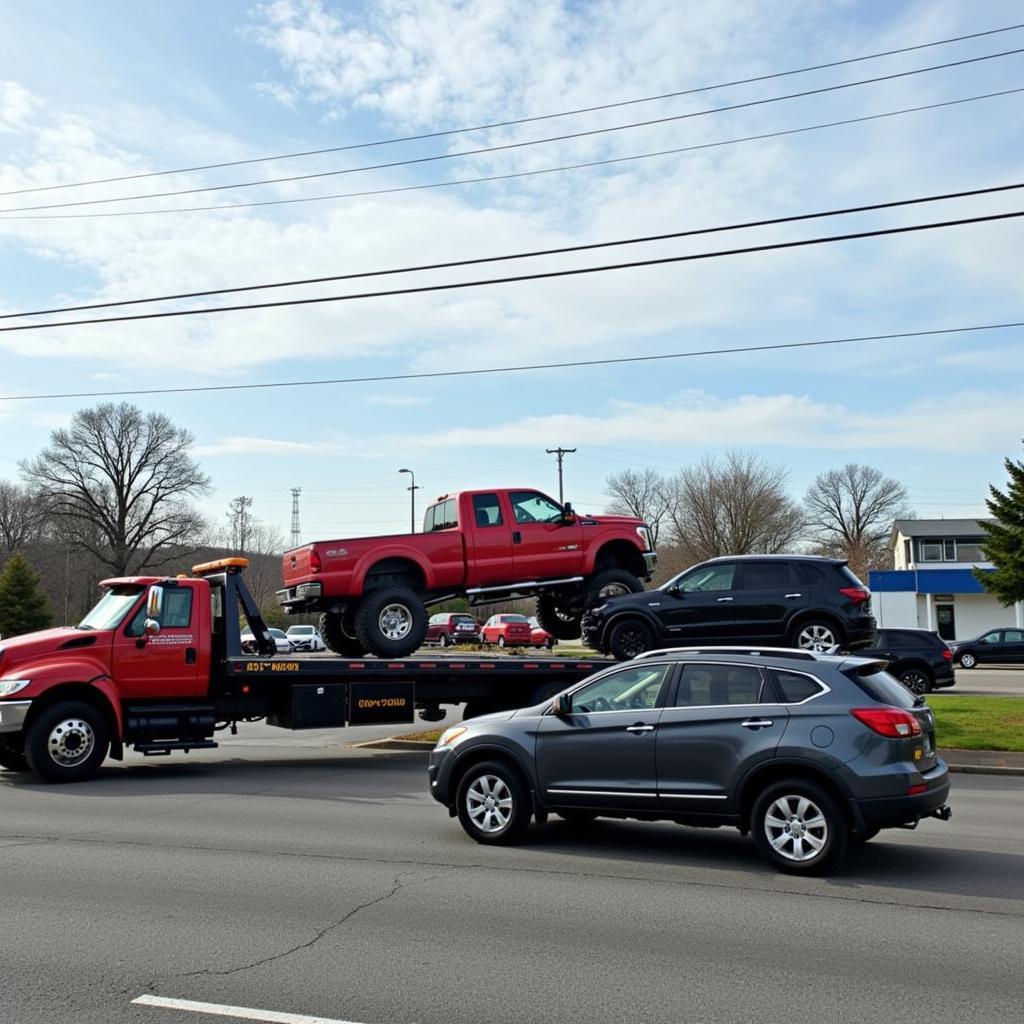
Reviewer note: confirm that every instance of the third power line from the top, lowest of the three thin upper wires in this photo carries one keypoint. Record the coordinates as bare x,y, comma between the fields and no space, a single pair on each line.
516,175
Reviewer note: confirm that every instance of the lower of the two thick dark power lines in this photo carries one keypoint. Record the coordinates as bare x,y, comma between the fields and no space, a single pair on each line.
515,279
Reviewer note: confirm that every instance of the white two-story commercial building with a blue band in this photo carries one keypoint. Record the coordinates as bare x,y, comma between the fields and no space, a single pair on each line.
933,585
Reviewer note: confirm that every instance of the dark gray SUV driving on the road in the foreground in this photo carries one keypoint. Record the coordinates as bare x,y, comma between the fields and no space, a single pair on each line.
807,752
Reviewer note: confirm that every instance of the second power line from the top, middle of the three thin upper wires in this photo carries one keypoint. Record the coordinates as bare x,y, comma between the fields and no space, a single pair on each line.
517,146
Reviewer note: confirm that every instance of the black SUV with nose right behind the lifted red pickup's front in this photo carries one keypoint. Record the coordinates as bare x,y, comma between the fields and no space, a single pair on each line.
785,601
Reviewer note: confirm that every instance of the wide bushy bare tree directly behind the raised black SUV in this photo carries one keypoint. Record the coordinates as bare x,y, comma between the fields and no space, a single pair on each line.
736,506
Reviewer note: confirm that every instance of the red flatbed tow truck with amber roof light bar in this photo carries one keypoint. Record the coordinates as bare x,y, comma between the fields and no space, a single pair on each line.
158,666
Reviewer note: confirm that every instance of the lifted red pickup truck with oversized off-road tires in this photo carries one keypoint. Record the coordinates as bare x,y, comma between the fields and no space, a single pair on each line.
487,545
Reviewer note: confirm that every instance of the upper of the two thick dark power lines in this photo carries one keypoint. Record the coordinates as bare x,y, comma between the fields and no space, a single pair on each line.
741,226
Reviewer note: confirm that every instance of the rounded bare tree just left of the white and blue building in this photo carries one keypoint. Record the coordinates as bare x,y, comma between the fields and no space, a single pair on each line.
850,514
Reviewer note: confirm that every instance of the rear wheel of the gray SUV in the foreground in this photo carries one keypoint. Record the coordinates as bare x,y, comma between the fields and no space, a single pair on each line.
834,835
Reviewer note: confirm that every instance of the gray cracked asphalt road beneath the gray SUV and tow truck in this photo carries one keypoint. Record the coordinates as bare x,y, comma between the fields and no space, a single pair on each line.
292,876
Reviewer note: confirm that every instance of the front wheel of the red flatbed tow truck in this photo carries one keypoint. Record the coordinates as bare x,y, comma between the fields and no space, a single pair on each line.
68,743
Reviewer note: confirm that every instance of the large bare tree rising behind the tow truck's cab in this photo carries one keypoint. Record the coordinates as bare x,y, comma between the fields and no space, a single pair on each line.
121,482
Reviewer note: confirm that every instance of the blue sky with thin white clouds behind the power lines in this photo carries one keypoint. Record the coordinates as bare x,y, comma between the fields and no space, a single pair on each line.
94,91
